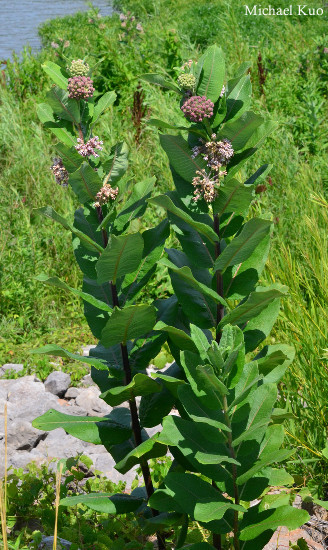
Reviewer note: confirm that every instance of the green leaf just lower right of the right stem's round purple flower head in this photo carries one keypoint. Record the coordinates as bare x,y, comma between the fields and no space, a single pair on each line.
240,131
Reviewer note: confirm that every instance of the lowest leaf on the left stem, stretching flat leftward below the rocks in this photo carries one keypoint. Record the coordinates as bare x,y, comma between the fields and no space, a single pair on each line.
106,503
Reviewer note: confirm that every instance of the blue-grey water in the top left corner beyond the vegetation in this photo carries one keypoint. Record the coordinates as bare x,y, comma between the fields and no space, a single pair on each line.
19,20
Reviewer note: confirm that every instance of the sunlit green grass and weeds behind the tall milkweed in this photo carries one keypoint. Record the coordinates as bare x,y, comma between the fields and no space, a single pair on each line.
289,71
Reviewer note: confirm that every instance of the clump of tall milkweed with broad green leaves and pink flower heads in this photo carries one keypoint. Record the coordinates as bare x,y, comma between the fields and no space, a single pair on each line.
215,405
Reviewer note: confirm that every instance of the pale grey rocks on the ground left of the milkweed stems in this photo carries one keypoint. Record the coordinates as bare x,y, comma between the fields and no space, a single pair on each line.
27,398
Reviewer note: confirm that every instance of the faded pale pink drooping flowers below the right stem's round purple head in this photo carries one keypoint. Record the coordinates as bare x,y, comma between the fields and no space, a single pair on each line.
217,155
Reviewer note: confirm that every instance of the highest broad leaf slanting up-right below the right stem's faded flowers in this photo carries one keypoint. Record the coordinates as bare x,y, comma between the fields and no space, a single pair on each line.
242,246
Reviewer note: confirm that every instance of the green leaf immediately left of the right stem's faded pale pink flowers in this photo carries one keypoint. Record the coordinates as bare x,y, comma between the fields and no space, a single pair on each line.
180,156
